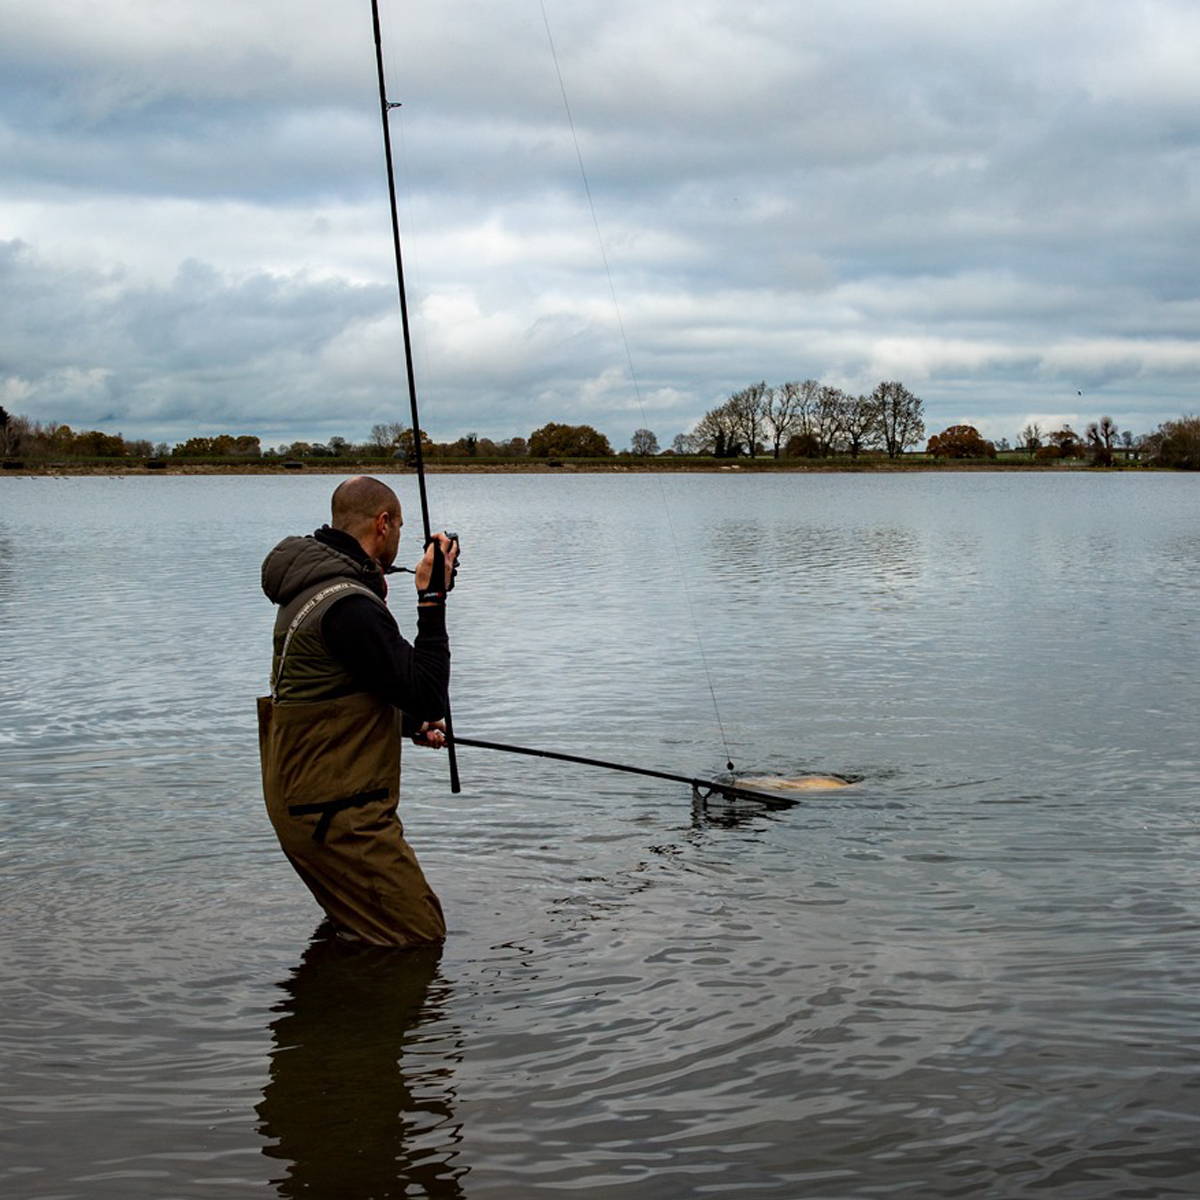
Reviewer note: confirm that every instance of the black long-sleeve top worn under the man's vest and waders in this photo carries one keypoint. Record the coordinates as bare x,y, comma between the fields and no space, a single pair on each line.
364,638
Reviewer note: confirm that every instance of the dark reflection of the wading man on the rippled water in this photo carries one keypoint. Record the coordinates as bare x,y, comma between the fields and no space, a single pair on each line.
357,1106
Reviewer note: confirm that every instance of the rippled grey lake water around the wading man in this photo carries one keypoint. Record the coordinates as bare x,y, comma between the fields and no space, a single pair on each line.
973,974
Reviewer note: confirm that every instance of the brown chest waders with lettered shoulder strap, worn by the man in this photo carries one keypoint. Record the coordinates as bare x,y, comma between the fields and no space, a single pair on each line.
332,784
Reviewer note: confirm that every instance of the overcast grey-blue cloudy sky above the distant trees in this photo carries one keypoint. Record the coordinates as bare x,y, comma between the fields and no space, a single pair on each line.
998,205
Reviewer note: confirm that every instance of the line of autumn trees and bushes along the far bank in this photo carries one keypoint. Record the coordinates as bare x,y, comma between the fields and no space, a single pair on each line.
790,421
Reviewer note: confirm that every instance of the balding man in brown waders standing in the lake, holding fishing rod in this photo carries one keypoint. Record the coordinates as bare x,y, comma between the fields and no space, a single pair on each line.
345,688
